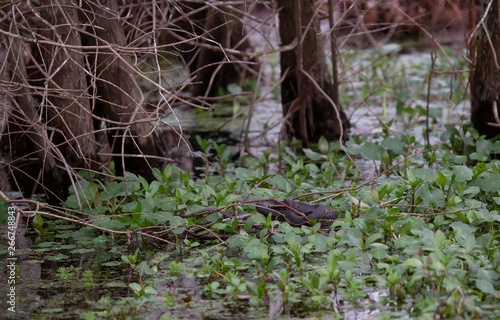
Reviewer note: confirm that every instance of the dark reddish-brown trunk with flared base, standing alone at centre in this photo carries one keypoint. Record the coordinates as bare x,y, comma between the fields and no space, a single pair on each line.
307,89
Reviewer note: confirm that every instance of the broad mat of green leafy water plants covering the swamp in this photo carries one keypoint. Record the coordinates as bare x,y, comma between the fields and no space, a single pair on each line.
418,239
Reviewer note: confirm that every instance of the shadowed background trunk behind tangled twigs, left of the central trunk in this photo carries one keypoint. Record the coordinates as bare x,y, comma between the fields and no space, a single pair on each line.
215,29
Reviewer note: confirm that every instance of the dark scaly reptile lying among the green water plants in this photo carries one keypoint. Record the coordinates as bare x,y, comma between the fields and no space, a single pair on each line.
310,211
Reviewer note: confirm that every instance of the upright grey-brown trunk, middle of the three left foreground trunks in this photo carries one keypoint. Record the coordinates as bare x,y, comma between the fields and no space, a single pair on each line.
67,96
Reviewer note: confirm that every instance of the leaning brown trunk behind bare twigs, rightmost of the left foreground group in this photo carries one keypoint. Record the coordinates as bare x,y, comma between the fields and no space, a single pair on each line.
120,98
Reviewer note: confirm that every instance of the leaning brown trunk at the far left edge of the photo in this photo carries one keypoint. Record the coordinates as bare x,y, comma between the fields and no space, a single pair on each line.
19,101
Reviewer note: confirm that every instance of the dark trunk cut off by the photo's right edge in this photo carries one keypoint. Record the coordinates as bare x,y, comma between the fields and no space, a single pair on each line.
486,78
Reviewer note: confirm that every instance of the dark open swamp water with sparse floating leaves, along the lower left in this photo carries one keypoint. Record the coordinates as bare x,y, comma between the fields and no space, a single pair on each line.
71,274
